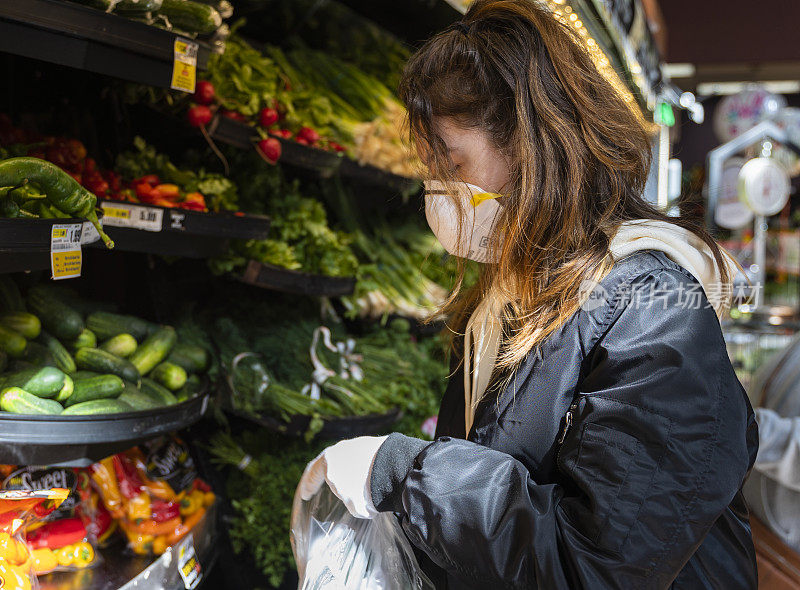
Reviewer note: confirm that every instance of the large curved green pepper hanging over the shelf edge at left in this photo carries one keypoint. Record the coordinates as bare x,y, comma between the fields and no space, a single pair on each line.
61,189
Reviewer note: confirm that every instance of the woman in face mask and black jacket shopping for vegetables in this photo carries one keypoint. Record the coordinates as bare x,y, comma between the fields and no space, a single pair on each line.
593,434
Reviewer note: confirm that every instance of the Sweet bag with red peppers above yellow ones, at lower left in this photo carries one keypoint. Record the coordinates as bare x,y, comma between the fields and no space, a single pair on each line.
66,540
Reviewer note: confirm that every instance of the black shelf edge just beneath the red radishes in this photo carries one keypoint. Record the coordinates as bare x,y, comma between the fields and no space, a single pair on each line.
325,164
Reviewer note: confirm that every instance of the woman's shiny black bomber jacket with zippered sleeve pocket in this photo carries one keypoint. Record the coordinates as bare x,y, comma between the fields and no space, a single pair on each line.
643,492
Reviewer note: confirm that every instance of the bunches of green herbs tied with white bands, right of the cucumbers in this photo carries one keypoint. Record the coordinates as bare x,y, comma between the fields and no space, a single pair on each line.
286,362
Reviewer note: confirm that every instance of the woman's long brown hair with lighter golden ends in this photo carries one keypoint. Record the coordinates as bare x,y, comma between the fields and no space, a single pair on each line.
579,157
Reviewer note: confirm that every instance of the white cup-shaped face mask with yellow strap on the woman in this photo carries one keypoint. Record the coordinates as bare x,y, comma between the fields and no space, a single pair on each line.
480,210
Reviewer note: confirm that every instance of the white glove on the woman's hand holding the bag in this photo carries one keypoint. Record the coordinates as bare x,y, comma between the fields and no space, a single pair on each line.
346,467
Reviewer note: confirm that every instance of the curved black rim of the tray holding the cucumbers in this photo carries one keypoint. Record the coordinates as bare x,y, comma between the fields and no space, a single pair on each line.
81,440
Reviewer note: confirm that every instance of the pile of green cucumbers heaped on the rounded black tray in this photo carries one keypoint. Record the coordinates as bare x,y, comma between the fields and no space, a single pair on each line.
59,356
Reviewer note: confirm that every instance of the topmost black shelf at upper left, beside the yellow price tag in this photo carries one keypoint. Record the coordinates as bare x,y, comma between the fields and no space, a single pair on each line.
72,35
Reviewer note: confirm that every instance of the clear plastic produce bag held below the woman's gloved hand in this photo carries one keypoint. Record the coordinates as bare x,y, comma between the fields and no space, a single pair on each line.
335,550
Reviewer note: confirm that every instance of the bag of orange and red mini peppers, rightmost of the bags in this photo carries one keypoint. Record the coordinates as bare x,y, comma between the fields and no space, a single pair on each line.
154,493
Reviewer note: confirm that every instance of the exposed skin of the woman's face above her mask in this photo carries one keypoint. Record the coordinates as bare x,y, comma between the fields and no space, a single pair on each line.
476,160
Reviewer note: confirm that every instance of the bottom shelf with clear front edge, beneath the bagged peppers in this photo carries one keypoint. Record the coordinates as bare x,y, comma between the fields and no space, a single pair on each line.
119,569
